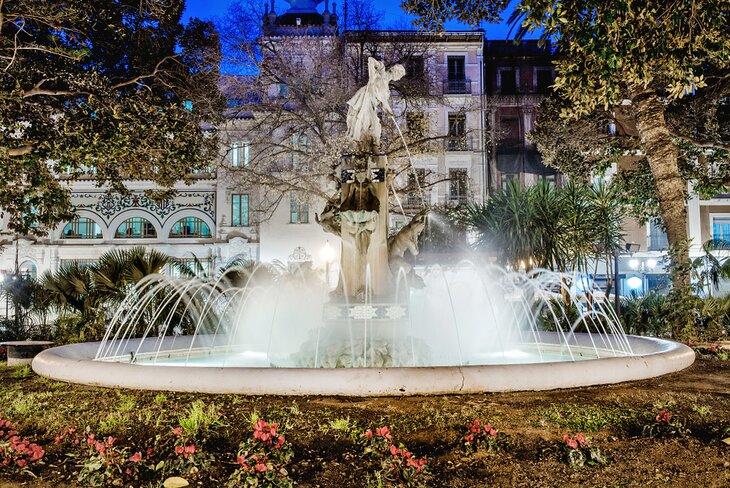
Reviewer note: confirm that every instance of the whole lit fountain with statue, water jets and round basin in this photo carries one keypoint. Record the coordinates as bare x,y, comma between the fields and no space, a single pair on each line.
384,330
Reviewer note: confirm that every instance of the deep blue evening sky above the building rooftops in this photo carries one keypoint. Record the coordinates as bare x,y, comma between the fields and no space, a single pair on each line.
394,16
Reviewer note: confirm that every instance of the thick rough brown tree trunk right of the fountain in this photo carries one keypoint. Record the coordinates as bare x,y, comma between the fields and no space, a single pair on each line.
671,189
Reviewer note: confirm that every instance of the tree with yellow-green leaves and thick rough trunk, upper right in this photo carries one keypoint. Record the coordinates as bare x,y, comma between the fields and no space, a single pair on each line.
657,59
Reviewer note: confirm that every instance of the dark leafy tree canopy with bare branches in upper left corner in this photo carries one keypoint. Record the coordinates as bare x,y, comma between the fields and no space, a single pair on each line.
114,88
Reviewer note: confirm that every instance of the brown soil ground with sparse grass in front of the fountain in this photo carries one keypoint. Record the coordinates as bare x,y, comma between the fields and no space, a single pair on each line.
327,454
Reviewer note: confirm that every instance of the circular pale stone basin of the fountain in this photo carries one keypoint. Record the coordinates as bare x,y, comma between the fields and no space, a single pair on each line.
652,357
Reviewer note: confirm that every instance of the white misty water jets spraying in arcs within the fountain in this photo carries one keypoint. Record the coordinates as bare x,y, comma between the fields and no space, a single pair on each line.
464,315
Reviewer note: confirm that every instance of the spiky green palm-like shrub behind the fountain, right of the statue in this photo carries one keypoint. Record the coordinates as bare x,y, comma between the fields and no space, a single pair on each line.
559,228
